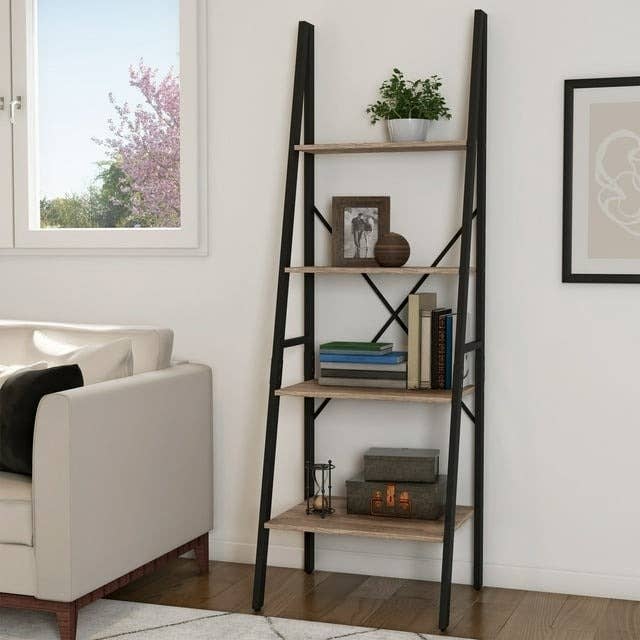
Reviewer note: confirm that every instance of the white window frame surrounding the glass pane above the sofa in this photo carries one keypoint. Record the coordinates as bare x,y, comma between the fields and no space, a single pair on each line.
18,233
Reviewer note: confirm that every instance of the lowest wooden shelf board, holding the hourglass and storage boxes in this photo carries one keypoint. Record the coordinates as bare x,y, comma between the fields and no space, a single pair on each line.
341,523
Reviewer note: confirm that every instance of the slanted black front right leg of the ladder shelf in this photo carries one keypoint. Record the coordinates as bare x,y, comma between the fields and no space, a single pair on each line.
461,323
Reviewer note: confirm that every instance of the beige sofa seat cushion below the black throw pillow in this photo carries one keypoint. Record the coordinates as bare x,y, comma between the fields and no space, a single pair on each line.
16,521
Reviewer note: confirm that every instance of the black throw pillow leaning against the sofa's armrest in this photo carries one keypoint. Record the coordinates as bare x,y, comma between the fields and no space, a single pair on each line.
19,398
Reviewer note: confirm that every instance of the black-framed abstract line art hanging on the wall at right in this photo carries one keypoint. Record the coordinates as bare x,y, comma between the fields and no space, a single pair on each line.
601,208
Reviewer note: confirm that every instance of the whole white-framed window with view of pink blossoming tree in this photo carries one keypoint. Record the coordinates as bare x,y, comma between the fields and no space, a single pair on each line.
104,124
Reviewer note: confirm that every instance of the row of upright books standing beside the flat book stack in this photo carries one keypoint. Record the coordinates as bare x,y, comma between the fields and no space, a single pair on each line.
432,335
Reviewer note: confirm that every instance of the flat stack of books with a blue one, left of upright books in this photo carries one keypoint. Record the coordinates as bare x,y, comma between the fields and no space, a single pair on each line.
363,364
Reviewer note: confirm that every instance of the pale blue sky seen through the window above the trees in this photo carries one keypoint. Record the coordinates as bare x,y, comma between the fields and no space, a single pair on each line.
84,52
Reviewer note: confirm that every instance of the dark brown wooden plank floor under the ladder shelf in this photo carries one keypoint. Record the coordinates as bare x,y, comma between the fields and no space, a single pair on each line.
391,603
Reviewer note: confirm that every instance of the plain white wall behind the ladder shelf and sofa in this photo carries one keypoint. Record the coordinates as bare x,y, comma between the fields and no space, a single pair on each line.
562,440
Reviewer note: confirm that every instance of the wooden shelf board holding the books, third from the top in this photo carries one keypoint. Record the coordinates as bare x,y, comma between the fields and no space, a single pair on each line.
311,389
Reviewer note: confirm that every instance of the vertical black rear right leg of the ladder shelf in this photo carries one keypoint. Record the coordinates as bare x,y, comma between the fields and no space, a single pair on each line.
478,523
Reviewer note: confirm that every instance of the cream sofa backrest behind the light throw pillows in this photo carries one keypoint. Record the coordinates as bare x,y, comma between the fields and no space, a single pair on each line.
151,346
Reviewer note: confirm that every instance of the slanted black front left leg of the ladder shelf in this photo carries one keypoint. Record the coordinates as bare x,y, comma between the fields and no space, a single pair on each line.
280,317
